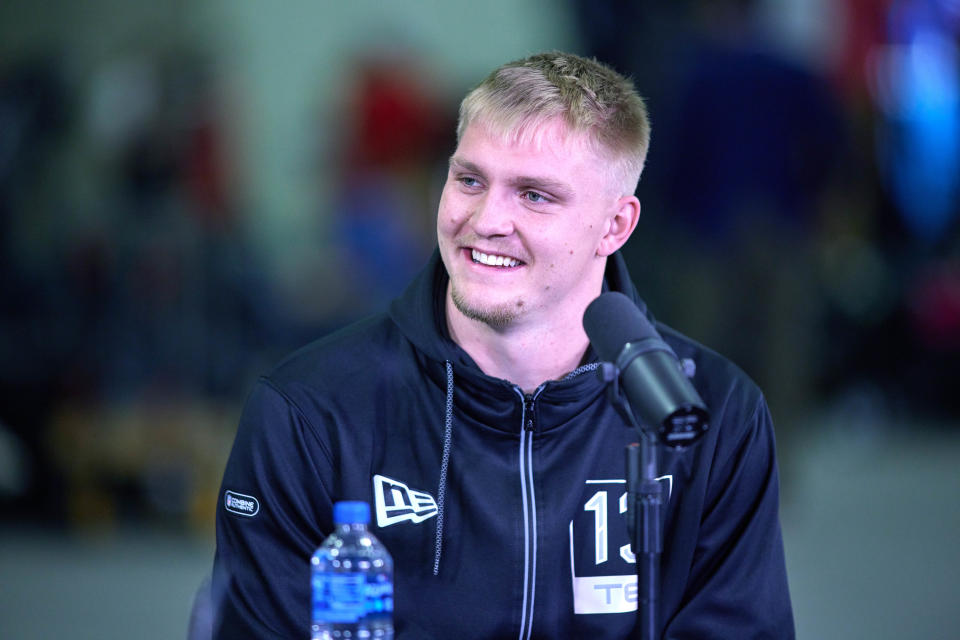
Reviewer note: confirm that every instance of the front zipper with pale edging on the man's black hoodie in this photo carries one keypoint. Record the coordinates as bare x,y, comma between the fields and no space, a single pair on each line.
527,430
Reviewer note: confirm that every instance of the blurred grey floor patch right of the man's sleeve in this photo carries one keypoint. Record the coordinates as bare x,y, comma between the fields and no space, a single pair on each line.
871,532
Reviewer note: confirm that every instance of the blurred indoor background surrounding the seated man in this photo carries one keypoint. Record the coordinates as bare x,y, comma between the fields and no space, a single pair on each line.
188,191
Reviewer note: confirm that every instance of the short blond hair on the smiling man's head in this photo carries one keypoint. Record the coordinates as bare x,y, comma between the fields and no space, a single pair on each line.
590,97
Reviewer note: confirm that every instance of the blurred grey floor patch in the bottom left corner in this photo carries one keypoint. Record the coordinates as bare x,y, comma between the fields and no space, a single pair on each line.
136,584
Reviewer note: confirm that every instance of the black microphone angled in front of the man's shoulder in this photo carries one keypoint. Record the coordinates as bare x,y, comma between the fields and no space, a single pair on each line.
660,394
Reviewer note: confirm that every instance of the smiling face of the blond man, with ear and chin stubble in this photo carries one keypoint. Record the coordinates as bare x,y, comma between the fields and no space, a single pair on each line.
524,227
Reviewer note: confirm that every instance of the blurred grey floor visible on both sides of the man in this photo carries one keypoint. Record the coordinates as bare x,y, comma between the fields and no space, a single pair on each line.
870,523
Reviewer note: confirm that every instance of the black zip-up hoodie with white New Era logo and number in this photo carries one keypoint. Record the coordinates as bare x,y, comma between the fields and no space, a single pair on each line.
503,511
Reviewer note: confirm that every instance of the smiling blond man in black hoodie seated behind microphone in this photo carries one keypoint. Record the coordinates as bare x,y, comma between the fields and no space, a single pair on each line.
469,416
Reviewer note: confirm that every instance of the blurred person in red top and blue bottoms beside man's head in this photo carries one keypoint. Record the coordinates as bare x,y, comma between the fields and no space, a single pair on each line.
394,132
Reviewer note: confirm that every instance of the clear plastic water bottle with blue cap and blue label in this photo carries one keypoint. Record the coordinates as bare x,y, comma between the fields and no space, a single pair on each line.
352,580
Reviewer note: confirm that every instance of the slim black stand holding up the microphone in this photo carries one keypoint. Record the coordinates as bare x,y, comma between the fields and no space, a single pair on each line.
644,506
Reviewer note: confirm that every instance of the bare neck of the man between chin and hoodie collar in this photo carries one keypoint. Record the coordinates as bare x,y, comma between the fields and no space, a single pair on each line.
525,354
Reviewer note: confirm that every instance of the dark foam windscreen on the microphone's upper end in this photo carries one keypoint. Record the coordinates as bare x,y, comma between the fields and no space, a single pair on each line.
613,320
